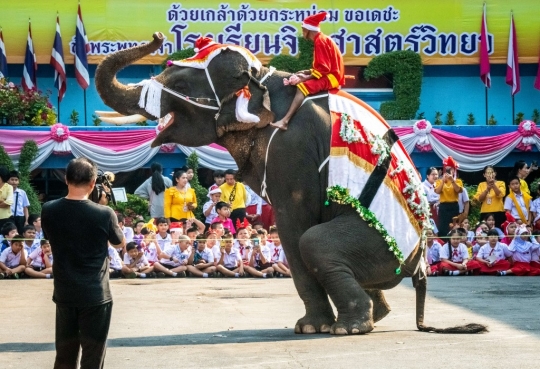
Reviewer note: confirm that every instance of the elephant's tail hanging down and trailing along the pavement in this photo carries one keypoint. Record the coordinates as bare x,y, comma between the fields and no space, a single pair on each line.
420,285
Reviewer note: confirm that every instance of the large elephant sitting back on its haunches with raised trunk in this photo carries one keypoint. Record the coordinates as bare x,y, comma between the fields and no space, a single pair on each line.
331,251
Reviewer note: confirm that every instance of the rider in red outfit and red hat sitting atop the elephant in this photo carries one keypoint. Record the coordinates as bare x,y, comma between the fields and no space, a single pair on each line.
328,71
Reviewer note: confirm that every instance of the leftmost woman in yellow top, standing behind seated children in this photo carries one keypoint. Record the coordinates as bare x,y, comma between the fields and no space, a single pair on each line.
179,201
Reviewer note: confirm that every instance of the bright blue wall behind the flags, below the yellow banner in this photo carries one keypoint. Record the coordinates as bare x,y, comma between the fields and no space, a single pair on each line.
449,87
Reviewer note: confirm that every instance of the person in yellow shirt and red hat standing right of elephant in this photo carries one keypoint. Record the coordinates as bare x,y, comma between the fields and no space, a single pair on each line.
449,187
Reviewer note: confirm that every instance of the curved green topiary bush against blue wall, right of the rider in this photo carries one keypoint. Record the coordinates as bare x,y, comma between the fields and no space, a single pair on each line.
406,69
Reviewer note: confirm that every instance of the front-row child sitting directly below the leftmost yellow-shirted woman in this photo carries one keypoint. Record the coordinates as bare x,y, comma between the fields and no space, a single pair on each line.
174,258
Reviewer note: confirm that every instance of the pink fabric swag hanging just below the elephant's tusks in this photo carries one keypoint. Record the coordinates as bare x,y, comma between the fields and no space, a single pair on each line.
116,141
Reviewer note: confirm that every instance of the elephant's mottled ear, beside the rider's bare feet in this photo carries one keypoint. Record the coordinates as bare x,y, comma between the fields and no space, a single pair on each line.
259,105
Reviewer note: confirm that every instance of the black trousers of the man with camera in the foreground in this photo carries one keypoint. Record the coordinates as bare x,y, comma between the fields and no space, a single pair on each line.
82,327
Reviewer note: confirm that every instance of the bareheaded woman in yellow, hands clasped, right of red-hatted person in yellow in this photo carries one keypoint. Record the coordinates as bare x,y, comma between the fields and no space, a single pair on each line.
491,194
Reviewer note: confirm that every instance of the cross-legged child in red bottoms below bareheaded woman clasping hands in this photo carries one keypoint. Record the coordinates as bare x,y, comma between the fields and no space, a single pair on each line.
491,257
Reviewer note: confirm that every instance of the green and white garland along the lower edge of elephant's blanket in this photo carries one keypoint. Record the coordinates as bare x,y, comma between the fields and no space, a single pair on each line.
340,195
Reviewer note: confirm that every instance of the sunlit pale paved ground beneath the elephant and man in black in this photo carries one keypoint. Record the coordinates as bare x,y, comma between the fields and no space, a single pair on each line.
217,323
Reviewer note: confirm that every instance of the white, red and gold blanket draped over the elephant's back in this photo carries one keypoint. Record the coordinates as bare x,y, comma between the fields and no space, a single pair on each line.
356,150
